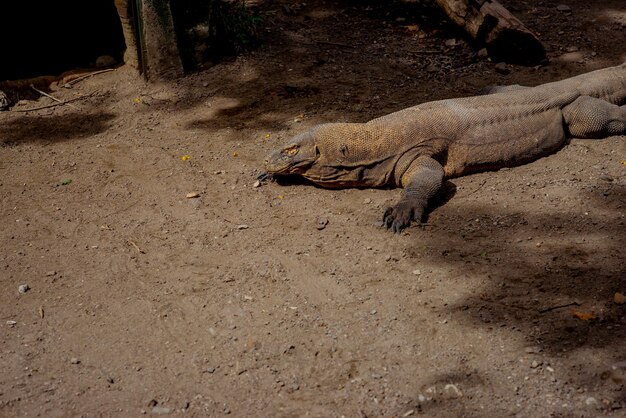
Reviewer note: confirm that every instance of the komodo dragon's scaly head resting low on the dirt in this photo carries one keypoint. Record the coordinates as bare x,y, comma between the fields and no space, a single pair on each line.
325,155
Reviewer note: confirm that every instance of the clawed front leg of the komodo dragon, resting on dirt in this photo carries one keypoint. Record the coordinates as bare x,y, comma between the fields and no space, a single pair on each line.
421,181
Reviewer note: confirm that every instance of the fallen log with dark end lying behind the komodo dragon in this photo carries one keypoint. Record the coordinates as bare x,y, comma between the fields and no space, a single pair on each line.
493,27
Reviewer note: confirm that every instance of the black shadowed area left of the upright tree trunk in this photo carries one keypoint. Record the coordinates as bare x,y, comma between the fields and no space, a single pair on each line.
48,38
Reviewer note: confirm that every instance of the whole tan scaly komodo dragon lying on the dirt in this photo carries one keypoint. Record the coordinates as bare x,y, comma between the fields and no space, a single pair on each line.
418,147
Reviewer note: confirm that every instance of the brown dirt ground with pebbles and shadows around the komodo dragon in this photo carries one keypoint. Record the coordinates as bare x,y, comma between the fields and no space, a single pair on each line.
145,301
